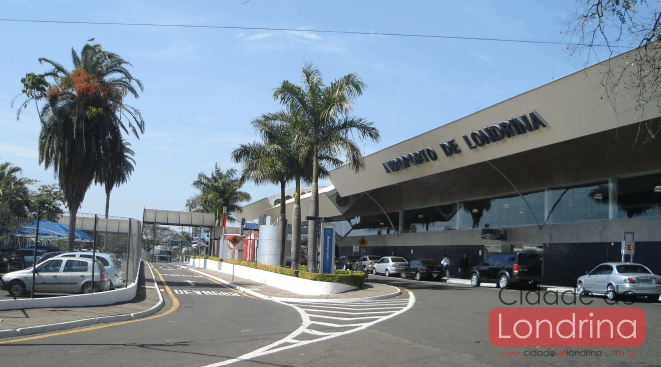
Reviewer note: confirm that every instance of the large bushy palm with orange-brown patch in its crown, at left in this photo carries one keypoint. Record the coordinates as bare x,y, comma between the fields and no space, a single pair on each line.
84,109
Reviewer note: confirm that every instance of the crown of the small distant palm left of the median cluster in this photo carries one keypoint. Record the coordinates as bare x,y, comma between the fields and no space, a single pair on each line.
221,189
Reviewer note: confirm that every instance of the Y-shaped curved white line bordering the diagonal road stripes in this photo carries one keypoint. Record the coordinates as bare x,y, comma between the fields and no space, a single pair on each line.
293,343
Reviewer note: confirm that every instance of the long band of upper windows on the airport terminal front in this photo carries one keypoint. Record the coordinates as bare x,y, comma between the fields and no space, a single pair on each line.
637,197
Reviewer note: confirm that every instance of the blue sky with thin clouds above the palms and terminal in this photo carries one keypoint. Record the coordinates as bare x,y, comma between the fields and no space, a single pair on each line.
204,86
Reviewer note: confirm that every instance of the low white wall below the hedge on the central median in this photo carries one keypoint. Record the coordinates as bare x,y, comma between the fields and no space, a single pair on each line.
300,286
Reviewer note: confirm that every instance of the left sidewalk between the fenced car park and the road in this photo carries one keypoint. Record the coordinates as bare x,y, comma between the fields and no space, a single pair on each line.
40,320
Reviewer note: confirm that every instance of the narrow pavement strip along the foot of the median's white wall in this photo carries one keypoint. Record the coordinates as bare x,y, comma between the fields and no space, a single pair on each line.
371,291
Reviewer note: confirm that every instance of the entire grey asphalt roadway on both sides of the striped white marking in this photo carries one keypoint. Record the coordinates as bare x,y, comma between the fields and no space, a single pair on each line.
446,326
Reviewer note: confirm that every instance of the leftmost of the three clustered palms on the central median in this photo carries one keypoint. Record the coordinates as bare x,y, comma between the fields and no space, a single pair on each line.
269,161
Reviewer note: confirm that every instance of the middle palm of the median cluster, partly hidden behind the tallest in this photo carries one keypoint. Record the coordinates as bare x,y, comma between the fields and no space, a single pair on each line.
299,163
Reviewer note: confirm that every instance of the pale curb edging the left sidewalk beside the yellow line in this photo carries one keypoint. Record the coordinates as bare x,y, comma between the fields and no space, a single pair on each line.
10,333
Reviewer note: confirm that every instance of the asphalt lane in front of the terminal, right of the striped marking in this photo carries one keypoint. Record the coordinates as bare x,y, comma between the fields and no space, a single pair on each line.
448,326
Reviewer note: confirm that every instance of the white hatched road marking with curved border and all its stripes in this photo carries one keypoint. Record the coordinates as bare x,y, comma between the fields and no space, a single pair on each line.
357,309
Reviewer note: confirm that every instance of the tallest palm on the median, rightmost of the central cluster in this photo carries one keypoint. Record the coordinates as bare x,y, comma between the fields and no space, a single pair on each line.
328,128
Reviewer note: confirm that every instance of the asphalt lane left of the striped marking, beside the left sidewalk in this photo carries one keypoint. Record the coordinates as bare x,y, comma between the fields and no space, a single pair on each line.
211,323
